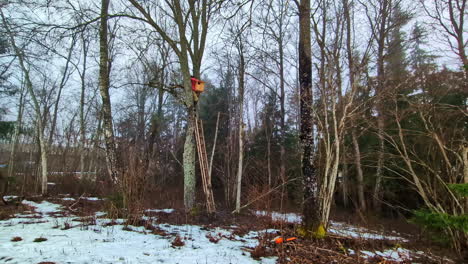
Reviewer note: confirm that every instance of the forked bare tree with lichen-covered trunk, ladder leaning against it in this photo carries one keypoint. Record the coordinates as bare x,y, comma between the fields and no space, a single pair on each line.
191,20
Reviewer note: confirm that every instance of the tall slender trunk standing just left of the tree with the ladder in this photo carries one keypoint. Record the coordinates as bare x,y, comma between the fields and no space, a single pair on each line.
104,83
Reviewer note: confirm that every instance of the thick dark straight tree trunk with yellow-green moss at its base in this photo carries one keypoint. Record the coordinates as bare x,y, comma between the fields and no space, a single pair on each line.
311,218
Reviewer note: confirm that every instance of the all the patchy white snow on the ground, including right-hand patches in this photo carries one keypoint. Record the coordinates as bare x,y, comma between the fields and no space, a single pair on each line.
51,234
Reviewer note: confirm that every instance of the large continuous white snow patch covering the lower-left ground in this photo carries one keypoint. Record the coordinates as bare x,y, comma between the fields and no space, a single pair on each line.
98,243
